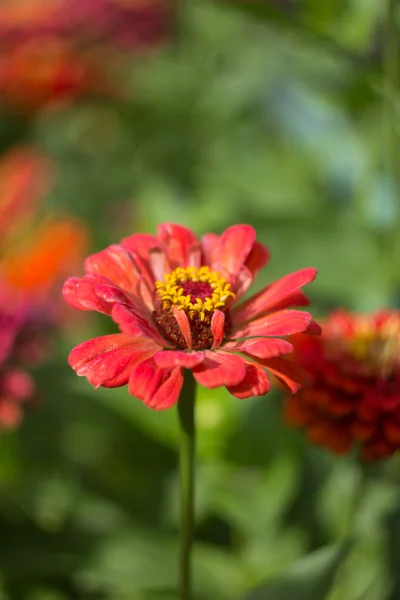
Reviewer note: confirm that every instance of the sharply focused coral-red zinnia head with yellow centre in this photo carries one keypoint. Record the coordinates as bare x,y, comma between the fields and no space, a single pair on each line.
174,299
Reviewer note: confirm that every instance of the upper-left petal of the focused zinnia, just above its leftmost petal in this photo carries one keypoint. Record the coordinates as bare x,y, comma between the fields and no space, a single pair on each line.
115,263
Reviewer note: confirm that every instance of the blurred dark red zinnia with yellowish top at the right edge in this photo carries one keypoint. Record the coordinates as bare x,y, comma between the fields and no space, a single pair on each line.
354,393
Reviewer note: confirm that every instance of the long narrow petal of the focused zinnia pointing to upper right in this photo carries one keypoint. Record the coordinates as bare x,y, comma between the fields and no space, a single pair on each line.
266,299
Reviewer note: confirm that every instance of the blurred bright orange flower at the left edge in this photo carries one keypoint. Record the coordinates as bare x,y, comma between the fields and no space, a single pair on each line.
34,257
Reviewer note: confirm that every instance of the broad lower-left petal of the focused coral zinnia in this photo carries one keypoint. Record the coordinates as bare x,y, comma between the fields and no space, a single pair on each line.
108,361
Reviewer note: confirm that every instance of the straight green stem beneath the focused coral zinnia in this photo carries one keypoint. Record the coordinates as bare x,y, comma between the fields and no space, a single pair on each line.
186,412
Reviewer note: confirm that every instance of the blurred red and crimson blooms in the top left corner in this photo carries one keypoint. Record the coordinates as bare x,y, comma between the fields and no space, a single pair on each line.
55,51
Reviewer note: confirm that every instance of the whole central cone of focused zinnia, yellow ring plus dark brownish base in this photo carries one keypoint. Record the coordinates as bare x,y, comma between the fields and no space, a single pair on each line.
199,292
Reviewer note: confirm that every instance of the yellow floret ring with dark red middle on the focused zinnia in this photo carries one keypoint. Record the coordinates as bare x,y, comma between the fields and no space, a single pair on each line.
197,291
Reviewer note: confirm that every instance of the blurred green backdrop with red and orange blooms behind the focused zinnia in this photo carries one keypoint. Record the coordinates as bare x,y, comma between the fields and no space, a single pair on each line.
115,116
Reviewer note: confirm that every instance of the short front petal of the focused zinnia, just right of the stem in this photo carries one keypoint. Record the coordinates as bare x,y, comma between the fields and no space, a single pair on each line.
220,368
